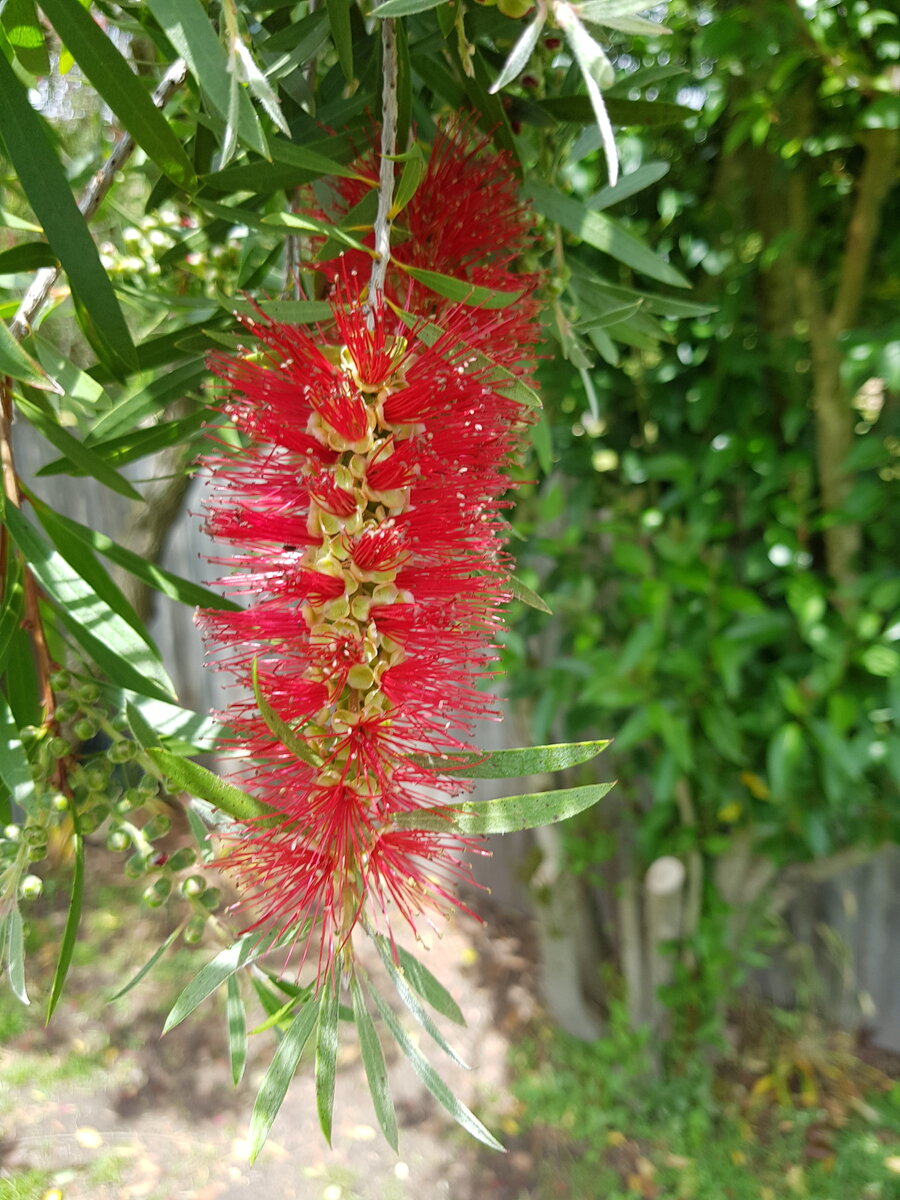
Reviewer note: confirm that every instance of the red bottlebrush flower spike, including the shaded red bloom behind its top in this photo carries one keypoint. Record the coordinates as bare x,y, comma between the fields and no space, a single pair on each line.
368,517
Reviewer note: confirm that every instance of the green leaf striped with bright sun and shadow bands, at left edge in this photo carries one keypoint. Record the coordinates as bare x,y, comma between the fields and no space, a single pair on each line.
109,639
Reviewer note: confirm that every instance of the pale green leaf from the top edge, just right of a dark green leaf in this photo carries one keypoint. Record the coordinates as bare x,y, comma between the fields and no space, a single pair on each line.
189,29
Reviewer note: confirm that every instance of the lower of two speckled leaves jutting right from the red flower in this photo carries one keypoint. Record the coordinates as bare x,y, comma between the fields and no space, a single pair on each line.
509,814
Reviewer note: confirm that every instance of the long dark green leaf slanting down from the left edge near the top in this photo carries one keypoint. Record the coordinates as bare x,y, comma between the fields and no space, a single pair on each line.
51,199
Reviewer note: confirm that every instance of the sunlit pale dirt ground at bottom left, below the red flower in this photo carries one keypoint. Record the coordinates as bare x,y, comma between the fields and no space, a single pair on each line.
100,1109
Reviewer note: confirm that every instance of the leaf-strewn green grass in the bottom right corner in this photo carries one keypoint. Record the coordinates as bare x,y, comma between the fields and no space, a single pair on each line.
609,1129
